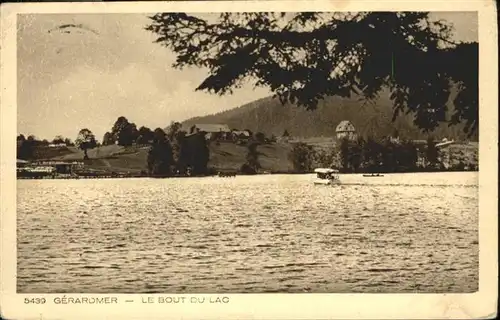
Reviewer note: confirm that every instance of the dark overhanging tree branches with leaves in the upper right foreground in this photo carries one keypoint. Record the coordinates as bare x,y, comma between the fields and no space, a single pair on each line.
305,57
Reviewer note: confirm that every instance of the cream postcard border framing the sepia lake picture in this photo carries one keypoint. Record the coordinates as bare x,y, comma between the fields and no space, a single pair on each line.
259,306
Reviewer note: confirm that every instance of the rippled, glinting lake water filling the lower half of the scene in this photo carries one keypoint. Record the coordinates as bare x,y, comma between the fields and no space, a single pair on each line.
267,233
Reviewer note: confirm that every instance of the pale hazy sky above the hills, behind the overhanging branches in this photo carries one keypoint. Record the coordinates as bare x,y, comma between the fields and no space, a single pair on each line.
67,82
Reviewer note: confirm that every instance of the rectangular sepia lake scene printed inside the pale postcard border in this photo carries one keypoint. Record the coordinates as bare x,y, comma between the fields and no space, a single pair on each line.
251,152
